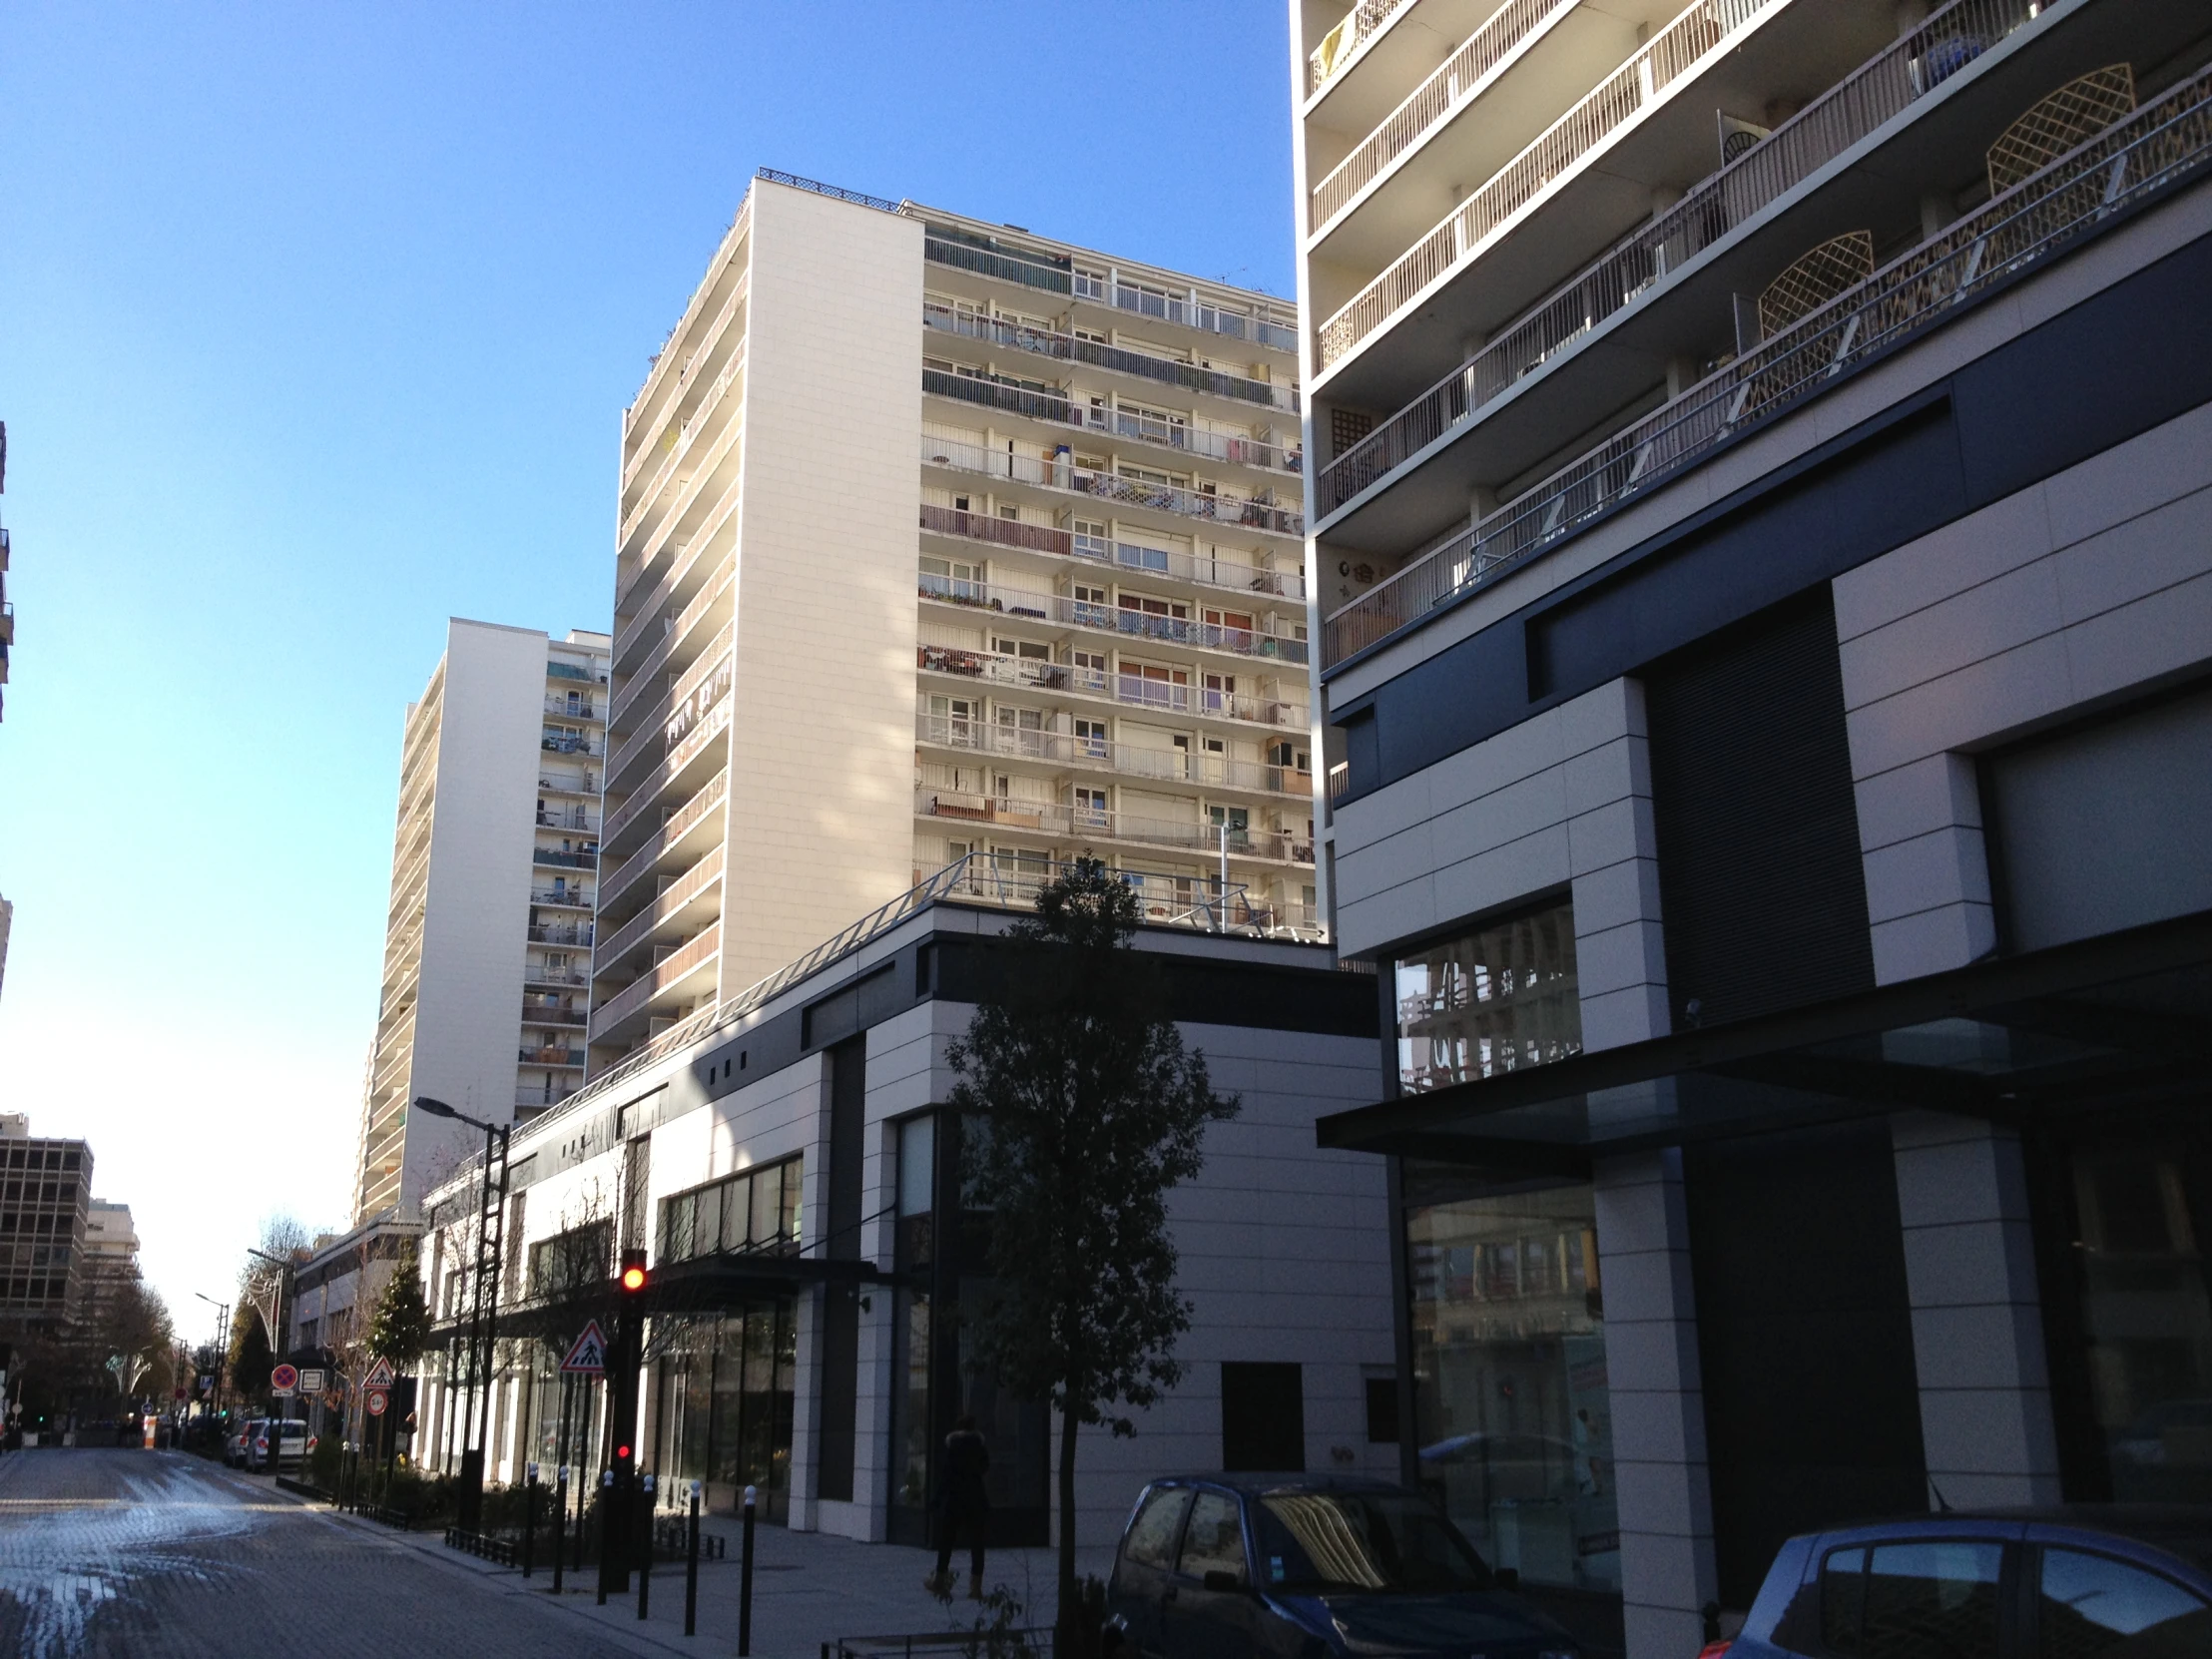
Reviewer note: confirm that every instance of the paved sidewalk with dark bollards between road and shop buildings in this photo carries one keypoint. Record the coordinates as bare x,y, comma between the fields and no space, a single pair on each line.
808,1589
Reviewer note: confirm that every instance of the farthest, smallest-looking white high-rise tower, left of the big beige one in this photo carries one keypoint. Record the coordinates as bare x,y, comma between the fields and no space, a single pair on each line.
488,935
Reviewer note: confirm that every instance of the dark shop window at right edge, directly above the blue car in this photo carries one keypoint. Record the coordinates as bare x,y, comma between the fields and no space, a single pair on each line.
2147,1313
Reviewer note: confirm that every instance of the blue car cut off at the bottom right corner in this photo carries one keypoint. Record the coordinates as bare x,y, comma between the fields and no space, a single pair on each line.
2063,1583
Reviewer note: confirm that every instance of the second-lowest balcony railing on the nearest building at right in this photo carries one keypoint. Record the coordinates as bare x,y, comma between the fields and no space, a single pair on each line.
1715,209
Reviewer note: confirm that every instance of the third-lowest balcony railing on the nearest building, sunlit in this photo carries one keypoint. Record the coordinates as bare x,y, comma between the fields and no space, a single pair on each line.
1567,143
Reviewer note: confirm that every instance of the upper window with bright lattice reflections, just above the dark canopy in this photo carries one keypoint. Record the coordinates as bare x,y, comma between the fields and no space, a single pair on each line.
1490,1001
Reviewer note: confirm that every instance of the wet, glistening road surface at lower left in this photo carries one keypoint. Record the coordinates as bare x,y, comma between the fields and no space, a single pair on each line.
163,1556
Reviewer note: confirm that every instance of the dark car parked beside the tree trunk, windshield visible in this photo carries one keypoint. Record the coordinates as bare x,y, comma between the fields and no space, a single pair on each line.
1251,1567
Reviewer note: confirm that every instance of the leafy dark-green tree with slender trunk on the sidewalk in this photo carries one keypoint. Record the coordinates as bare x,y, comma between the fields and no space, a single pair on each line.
1087,1112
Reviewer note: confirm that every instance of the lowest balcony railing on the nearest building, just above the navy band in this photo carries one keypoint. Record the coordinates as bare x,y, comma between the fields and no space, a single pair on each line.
2147,152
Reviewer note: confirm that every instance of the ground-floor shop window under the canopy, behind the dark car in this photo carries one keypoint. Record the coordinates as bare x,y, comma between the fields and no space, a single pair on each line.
1512,1410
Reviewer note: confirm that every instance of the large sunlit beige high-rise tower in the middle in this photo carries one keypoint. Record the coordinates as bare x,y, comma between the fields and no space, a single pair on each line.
943,541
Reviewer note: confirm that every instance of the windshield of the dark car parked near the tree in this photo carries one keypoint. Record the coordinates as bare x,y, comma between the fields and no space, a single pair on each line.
1364,1541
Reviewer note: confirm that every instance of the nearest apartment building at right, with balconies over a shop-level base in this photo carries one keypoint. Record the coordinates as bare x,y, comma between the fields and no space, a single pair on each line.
1760,470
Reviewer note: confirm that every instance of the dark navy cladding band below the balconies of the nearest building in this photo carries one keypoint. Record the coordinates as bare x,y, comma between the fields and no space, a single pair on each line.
2094,377
